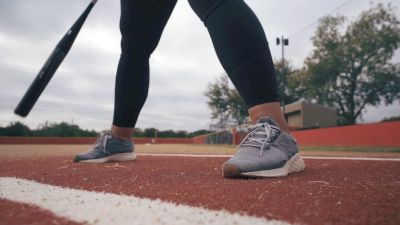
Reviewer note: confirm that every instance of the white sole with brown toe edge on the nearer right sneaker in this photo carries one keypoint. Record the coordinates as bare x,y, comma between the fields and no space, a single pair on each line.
295,164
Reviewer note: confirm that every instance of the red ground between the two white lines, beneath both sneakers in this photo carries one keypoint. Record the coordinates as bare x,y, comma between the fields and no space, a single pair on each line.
327,192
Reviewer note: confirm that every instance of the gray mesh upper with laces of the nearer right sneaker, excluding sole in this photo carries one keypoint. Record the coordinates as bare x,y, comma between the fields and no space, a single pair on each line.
264,148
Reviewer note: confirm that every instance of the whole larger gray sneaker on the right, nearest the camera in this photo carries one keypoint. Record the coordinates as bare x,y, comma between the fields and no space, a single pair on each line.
265,152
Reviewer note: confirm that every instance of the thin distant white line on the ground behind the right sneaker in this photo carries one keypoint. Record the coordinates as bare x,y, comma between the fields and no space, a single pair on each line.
304,157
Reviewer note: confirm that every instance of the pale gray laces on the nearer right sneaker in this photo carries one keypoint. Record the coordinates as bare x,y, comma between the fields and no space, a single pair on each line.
264,131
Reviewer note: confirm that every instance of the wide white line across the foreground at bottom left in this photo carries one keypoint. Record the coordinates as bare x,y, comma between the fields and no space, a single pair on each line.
107,208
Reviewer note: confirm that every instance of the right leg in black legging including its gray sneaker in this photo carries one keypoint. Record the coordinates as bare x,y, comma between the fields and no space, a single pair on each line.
242,48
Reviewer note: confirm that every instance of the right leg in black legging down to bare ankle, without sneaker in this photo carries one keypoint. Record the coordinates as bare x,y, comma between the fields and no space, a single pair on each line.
241,46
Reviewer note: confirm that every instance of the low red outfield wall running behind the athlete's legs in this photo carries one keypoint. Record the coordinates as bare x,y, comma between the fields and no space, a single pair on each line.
366,135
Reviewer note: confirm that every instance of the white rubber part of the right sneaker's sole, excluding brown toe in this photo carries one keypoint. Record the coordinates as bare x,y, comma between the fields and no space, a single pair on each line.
295,164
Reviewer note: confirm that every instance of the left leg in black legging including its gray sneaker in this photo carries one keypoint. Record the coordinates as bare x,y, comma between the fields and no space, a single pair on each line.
142,22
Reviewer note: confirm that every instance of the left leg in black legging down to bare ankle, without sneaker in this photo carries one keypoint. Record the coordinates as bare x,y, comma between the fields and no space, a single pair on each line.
141,25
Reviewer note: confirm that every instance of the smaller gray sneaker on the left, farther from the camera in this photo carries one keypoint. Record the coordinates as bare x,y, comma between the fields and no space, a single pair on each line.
108,149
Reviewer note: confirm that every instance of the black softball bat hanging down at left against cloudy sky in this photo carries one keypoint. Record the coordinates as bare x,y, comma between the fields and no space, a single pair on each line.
51,65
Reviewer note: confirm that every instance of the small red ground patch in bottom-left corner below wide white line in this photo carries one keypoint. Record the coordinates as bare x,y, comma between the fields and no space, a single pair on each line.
18,213
